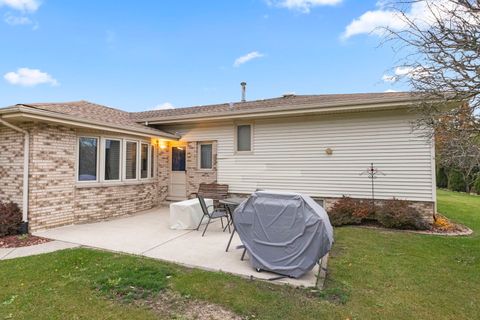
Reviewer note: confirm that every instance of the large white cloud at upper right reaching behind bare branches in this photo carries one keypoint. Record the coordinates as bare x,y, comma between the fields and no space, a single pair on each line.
423,13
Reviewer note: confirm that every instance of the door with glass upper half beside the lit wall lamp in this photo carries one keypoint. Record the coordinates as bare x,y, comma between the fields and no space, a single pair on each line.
178,188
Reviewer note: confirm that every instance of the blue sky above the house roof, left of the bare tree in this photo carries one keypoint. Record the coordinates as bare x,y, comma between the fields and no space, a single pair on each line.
138,55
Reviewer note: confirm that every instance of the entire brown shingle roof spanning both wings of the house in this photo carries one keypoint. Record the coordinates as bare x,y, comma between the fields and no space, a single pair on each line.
87,111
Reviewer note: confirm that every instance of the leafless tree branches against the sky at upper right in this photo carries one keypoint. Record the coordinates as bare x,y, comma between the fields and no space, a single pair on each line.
441,57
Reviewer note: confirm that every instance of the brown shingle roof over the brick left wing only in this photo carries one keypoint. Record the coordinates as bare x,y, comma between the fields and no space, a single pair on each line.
87,111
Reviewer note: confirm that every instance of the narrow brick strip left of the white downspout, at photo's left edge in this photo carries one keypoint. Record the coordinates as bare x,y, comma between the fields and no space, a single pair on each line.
11,165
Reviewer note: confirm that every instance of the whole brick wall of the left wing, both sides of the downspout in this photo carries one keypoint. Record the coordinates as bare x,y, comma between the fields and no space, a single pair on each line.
55,199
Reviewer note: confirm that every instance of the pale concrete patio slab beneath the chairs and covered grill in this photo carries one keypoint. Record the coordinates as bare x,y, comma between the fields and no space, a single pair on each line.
148,234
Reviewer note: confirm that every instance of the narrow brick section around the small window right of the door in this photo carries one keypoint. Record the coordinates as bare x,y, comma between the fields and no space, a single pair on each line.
195,176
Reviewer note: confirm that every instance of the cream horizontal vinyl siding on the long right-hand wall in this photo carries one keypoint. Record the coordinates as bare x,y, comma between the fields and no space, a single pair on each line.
289,154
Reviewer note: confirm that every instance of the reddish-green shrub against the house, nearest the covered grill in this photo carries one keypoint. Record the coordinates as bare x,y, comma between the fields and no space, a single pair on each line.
350,211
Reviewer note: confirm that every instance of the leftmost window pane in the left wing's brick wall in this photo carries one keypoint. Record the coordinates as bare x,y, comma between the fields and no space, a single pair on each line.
87,159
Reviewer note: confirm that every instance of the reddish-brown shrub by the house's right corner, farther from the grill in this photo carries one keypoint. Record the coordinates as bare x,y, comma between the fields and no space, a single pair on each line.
398,214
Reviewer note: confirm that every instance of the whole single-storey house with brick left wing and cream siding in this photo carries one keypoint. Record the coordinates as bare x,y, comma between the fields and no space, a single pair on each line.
74,162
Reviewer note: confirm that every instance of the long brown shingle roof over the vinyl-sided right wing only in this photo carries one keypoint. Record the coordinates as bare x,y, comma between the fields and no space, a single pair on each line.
289,101
